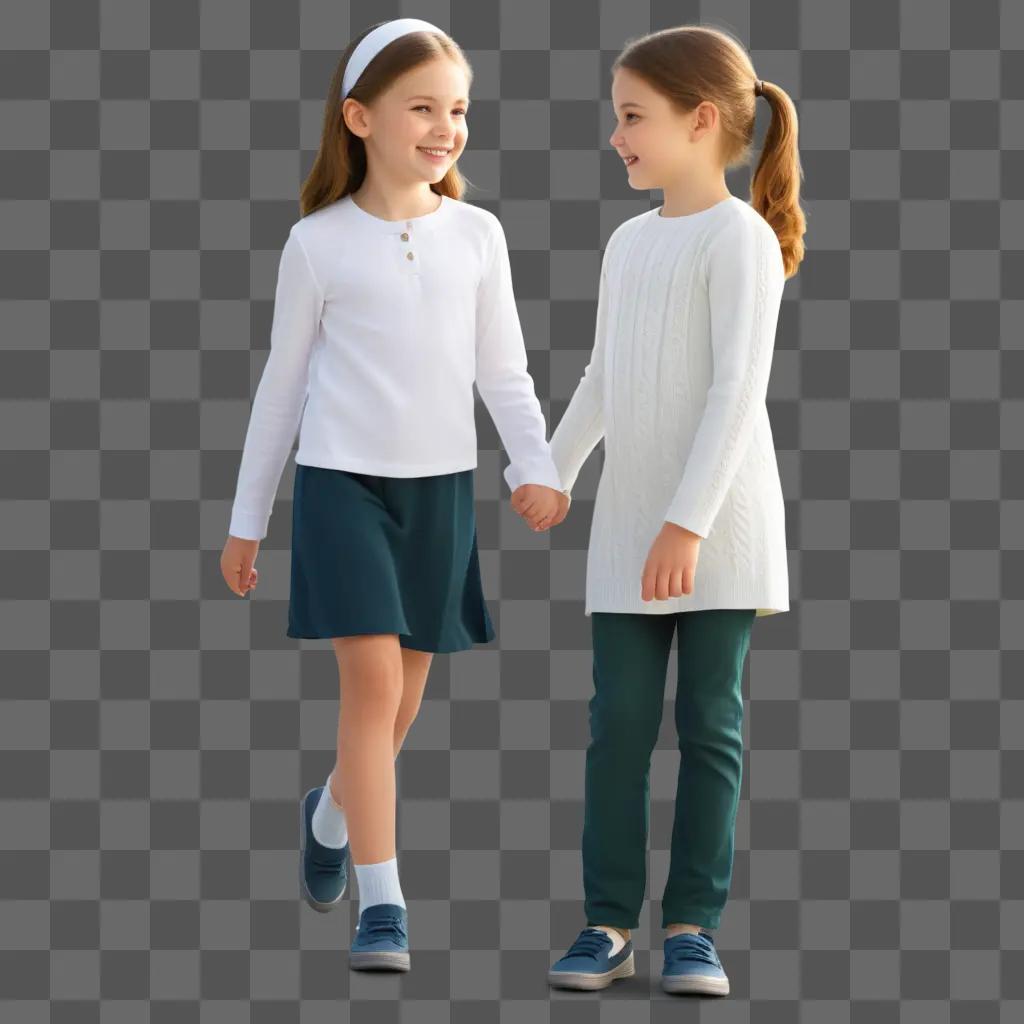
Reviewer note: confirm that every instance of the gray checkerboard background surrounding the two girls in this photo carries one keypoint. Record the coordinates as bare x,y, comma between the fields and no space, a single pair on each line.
157,733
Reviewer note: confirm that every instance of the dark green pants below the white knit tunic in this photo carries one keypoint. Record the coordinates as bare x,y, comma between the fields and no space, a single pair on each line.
631,657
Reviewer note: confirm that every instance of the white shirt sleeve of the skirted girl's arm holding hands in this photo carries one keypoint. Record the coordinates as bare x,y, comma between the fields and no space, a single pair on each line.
502,375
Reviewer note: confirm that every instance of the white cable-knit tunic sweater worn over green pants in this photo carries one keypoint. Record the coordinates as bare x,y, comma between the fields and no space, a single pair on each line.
676,386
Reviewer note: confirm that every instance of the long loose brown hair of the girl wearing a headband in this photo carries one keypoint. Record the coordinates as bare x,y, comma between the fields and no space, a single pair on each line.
340,166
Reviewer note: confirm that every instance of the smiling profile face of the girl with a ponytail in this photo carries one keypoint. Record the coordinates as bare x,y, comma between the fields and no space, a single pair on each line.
652,131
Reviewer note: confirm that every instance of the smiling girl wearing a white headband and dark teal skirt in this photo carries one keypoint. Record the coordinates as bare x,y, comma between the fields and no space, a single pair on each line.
393,300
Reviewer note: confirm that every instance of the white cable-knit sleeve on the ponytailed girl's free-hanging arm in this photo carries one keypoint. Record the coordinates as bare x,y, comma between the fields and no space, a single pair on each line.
746,278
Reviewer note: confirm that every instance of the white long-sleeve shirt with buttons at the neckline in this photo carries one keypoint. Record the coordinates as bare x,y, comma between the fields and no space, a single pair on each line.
380,330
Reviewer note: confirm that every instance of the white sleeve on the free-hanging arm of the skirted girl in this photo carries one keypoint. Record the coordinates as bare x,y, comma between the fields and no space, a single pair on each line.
281,396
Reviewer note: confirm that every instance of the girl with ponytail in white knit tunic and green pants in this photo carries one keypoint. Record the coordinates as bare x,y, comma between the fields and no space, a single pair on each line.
689,303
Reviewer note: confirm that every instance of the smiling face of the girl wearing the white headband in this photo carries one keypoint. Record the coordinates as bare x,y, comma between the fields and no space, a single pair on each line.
423,110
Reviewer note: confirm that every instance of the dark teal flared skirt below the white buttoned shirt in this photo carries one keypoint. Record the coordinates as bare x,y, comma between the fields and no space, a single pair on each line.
387,554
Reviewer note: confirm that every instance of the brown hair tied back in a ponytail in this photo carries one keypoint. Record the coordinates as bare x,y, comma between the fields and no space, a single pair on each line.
692,64
